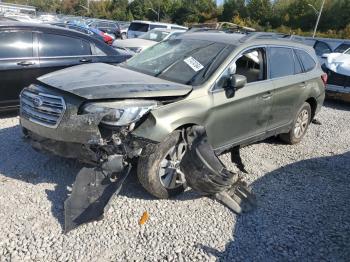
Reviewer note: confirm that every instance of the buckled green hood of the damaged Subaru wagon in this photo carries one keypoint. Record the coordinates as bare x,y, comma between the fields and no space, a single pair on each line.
103,81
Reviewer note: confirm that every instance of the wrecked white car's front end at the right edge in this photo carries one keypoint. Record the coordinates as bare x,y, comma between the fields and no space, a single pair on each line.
337,67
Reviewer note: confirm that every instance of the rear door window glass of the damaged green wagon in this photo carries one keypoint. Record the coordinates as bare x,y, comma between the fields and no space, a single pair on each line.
281,61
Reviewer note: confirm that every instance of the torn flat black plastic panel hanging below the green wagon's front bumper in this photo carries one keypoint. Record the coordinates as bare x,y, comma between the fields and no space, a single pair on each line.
90,196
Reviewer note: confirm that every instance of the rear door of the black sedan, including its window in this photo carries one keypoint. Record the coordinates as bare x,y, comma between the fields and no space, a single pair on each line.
61,51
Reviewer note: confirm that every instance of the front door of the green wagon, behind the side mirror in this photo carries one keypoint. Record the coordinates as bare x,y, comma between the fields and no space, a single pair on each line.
244,116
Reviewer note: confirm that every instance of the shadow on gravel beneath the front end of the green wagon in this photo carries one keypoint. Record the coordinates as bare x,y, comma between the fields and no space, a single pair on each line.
18,160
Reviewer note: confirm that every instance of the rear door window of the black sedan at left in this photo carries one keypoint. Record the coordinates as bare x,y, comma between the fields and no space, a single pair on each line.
59,45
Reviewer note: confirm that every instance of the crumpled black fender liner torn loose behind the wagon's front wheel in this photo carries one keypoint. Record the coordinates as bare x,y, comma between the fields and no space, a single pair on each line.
206,174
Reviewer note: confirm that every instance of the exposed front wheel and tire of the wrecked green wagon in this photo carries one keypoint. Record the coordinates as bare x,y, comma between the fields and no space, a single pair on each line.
158,168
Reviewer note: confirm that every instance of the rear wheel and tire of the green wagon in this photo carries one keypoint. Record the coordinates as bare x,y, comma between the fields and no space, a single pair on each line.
299,127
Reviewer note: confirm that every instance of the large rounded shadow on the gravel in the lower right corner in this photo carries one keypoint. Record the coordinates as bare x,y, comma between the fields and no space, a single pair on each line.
303,214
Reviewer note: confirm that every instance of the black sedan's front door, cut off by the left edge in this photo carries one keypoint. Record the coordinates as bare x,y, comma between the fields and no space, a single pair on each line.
18,63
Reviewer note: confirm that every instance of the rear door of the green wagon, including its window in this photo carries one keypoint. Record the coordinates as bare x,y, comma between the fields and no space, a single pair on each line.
287,76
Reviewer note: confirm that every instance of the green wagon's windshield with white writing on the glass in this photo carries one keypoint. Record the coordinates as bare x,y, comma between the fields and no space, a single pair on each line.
185,61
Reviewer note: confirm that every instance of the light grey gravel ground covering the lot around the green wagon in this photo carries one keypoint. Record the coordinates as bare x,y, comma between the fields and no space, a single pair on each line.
303,210
